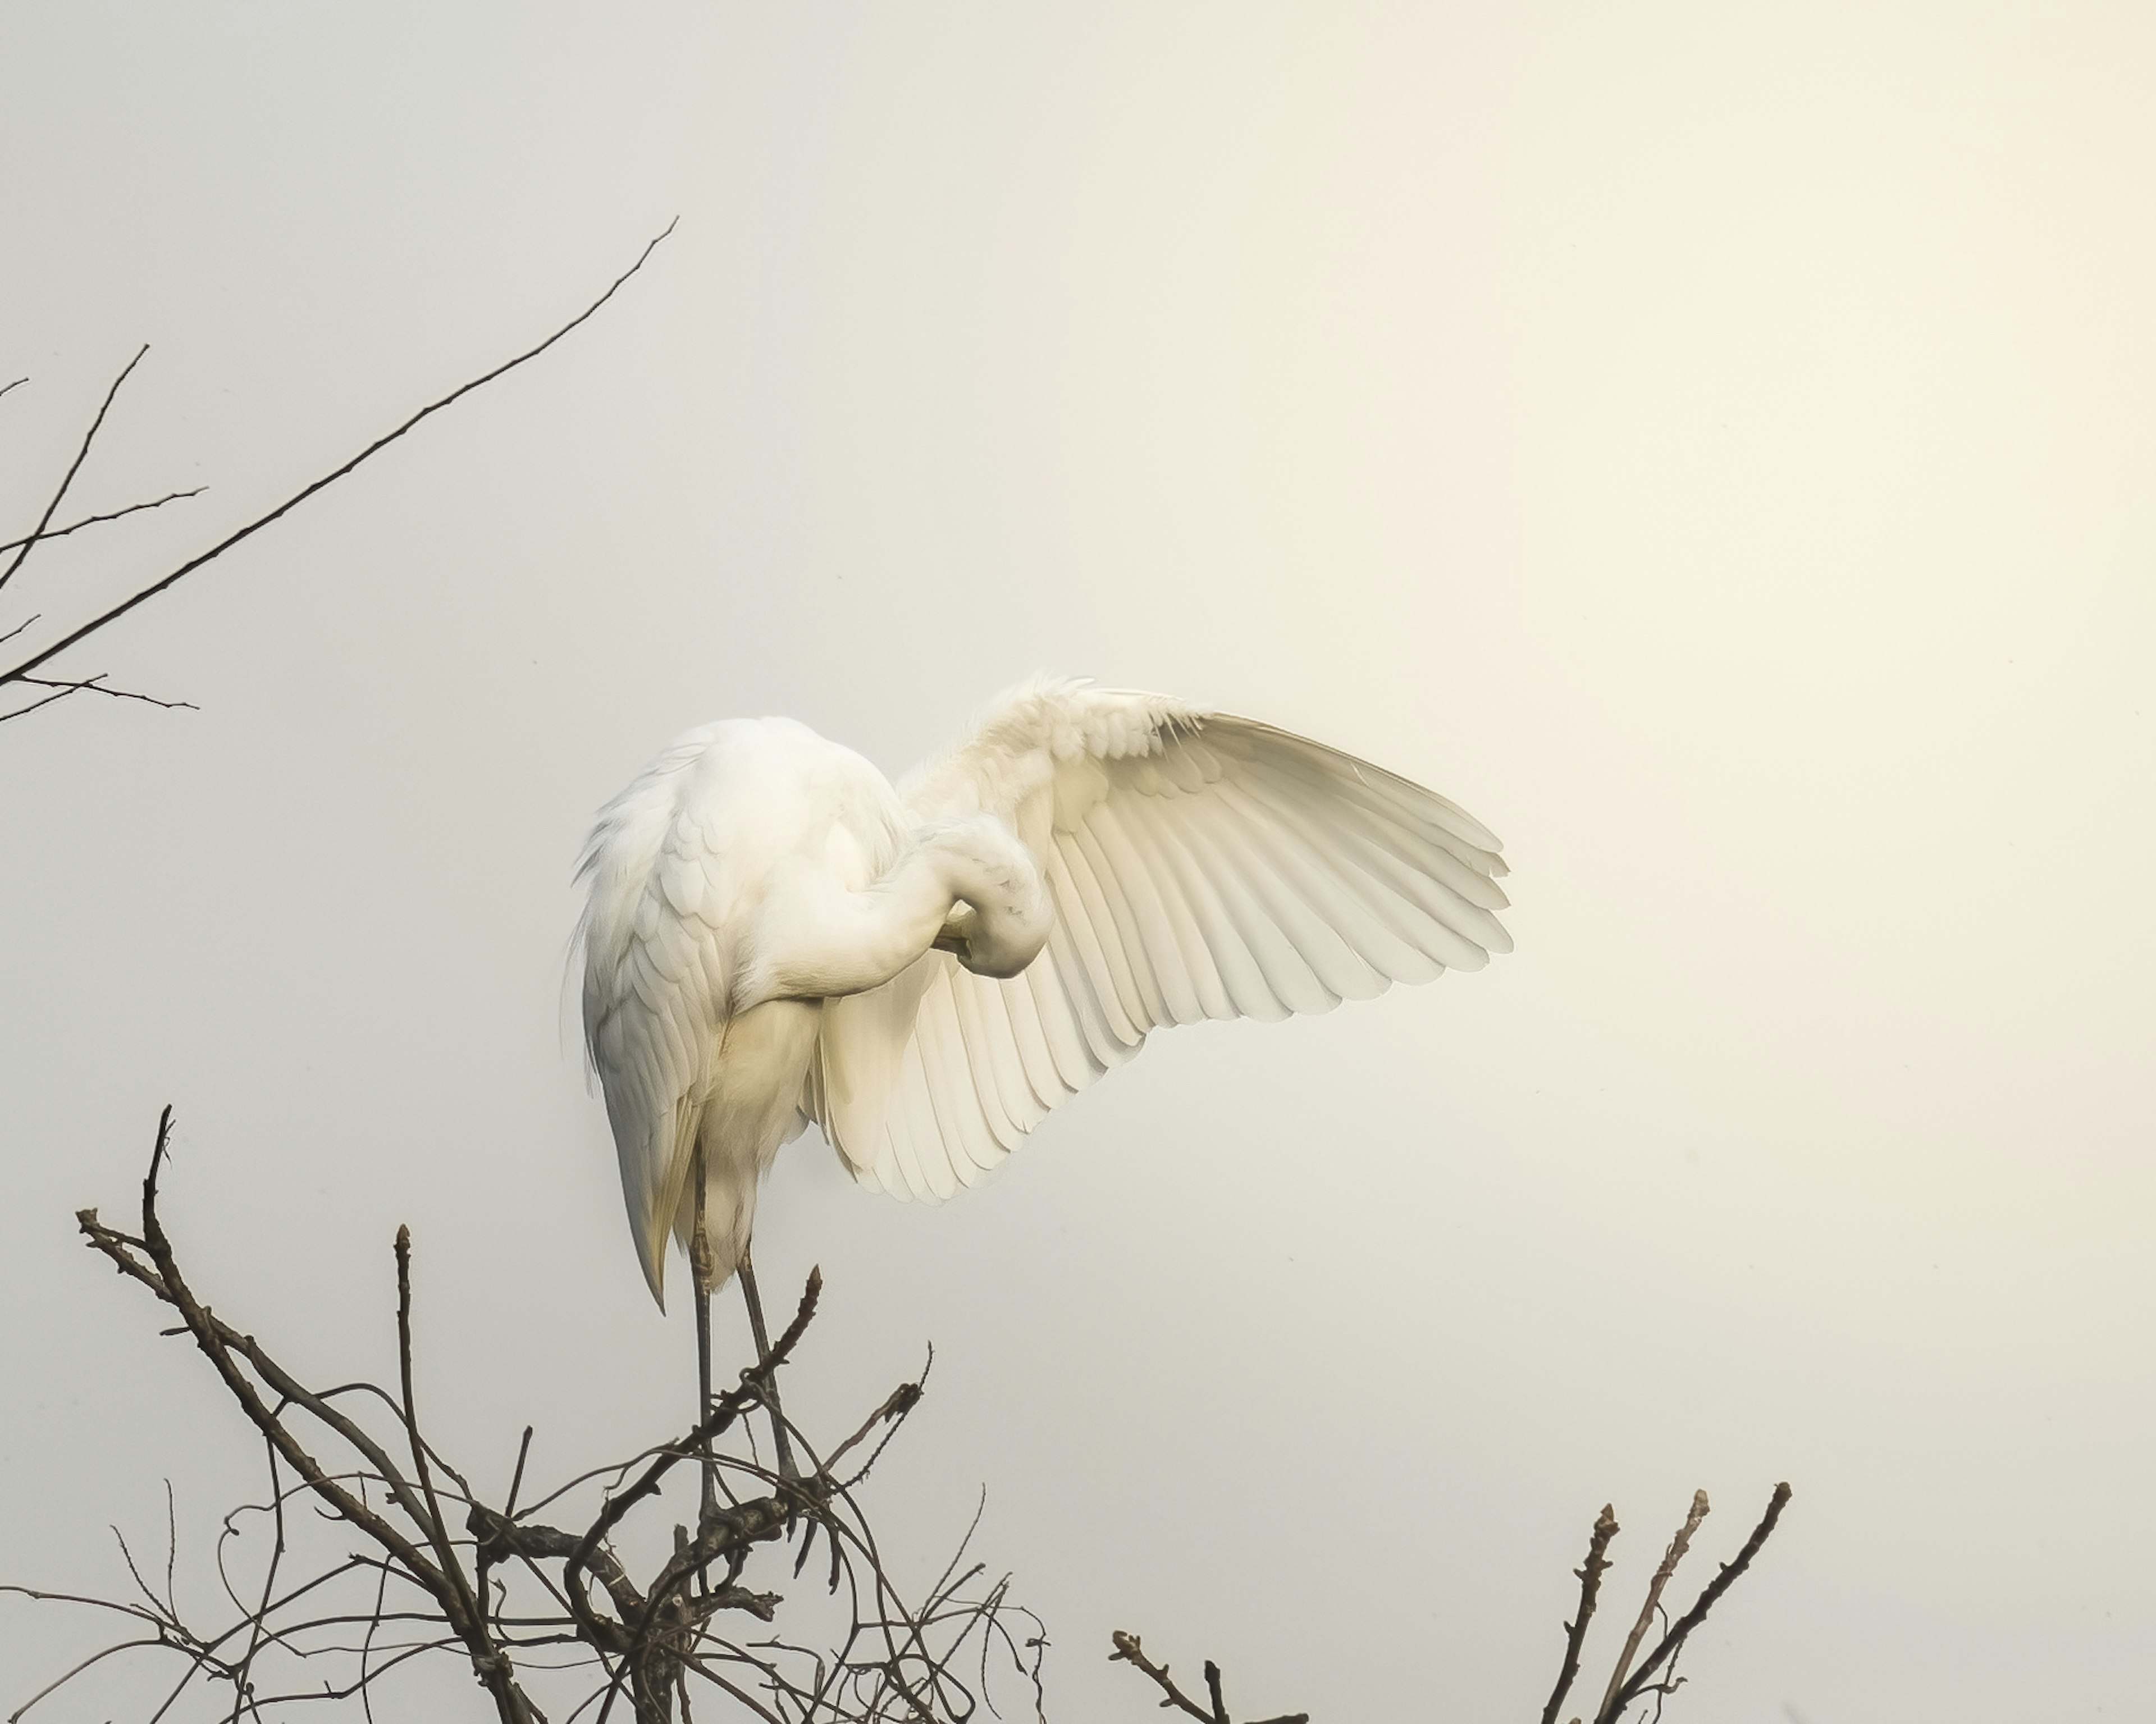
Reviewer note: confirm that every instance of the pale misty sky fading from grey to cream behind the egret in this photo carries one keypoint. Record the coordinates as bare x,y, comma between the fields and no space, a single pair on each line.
1713,447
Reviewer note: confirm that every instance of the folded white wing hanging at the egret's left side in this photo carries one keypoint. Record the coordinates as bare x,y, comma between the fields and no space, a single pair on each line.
654,986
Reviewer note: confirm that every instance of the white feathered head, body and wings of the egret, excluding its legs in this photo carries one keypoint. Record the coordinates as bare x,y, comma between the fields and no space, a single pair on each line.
777,936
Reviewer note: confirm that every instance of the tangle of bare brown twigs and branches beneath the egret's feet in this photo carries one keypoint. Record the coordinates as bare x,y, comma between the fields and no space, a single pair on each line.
376,1553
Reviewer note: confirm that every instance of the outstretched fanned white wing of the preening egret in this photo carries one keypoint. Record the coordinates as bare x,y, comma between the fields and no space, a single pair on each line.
1202,865
